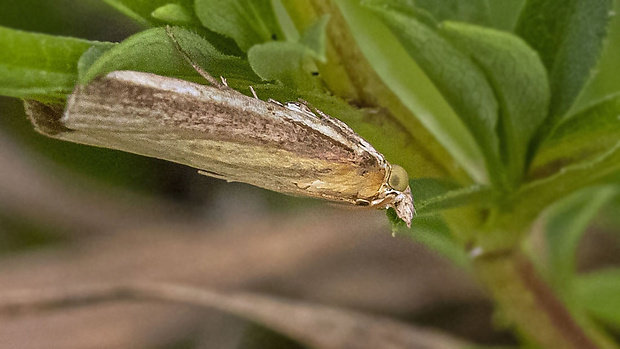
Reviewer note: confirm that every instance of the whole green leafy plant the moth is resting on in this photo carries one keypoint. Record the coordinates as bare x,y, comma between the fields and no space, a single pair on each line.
478,102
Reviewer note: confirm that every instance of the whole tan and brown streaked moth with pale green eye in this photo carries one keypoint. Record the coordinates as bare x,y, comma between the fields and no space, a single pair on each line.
290,148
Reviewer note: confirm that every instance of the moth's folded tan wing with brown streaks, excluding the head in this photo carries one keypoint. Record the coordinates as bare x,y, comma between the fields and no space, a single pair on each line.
96,115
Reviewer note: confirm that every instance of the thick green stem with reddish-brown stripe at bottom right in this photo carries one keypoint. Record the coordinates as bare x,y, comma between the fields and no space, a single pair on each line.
529,304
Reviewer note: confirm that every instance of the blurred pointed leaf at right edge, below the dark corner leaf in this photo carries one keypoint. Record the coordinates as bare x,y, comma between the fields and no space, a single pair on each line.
591,131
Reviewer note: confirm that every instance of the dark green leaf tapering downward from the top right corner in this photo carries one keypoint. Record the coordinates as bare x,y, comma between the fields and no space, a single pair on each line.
568,35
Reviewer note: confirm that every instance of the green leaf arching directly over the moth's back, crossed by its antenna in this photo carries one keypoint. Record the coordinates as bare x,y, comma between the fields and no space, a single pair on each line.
153,51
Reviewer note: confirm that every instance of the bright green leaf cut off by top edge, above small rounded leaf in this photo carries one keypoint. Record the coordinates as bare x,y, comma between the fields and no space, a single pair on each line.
141,10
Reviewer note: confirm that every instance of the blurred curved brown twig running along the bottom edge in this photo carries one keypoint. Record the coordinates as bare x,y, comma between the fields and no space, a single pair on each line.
315,325
